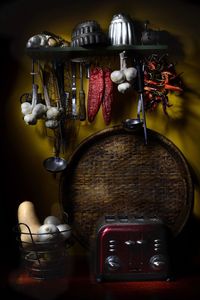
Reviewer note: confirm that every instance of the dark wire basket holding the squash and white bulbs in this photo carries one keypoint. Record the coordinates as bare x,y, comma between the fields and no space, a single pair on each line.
43,256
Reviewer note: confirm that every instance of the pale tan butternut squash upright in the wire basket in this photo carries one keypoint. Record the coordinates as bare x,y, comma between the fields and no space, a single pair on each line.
28,216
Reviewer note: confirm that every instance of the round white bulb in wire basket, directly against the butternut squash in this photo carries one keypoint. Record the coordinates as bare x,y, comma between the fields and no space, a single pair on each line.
47,233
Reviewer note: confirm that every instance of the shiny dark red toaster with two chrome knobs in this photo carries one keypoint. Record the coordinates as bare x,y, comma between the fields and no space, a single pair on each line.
131,249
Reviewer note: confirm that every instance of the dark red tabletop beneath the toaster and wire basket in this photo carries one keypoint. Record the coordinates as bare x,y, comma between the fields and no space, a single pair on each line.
79,283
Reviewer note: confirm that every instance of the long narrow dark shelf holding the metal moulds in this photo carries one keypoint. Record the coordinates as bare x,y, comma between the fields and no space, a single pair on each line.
58,53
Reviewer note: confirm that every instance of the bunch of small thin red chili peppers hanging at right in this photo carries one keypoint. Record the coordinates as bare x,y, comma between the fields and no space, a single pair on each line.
160,79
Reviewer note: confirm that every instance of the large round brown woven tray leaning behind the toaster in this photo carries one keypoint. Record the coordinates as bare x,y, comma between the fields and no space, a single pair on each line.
113,172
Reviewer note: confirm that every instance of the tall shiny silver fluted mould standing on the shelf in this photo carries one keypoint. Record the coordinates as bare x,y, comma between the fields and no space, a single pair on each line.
121,31
